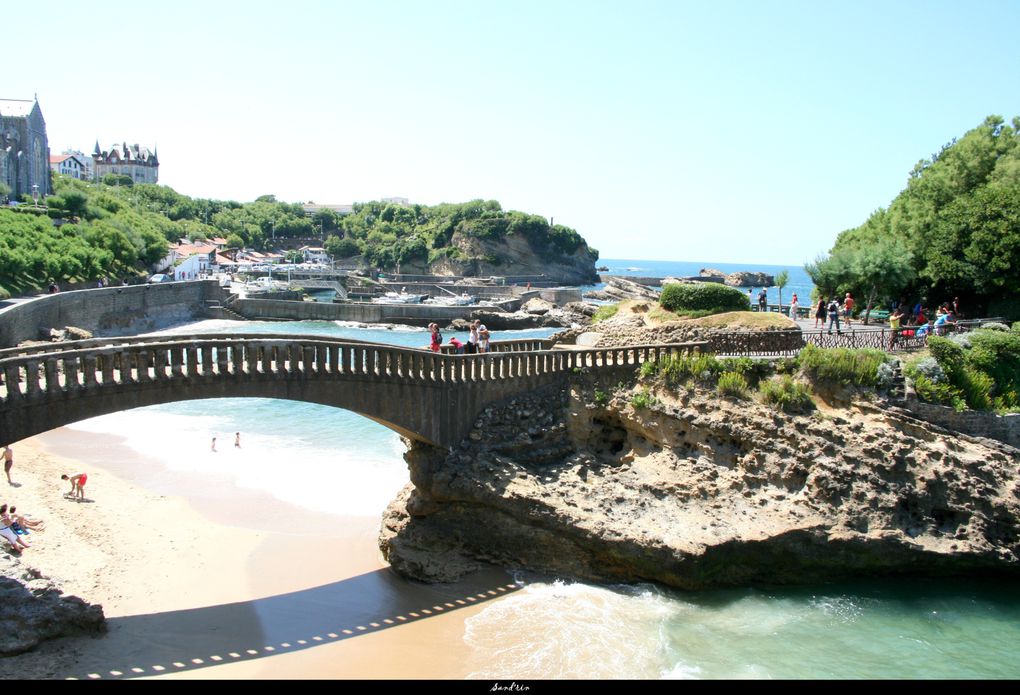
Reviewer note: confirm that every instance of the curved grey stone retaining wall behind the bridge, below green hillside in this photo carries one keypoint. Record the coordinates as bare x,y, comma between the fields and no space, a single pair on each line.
110,312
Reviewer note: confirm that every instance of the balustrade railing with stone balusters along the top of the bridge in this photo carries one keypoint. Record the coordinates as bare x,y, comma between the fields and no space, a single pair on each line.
175,361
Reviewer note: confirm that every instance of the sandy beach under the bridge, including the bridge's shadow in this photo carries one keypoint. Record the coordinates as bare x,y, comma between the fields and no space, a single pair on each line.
201,580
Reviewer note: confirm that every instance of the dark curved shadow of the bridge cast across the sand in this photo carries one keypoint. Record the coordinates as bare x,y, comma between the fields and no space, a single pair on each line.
198,638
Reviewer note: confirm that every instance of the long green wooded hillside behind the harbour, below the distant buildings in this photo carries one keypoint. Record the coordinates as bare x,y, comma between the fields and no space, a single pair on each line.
123,230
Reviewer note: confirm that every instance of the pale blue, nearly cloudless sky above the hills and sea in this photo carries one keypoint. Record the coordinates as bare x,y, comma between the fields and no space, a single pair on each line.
726,131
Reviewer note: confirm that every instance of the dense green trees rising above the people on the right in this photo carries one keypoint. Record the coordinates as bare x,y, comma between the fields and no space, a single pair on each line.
953,232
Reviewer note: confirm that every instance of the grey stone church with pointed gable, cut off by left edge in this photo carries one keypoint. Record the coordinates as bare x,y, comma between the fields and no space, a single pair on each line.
25,148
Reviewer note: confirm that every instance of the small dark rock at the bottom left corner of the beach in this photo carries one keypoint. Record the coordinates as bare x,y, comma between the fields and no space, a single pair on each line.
34,610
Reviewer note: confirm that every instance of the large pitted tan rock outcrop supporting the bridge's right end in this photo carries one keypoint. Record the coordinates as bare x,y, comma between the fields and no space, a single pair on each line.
699,492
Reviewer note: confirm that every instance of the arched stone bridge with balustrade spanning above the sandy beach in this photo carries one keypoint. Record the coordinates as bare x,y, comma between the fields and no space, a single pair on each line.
430,398
